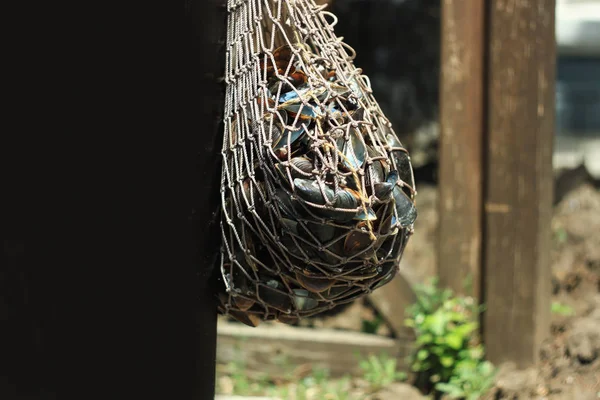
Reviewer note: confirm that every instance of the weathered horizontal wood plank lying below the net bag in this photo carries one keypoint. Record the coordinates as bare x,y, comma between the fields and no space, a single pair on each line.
276,349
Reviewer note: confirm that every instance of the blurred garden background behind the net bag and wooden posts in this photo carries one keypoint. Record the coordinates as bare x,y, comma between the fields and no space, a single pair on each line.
363,350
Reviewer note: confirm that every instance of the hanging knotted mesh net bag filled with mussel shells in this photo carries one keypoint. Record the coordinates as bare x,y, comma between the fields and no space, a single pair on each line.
317,191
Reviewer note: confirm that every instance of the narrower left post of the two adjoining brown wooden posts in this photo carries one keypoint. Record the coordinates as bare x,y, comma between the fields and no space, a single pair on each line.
461,121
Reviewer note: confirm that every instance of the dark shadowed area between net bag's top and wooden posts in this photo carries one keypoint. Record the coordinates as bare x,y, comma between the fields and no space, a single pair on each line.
398,46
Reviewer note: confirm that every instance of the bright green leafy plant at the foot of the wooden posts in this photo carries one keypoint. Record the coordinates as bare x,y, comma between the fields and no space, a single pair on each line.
449,356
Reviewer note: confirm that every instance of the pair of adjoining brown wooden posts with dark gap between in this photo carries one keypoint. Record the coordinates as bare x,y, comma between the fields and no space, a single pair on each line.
497,131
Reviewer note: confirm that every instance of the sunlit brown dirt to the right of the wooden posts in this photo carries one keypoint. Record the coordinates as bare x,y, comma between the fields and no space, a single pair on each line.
570,358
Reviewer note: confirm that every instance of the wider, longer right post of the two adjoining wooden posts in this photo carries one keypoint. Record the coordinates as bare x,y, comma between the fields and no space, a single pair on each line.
518,178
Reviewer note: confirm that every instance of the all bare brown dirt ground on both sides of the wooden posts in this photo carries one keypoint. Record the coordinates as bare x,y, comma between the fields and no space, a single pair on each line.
570,359
